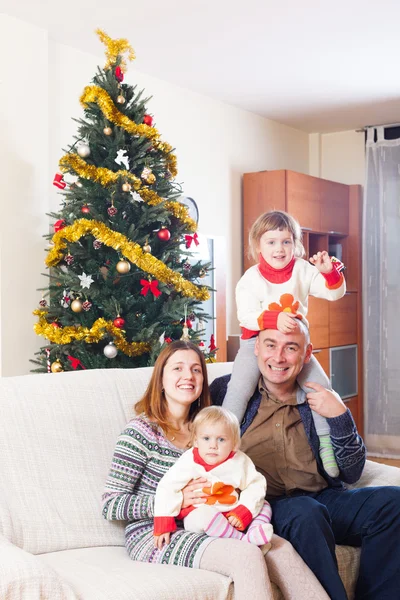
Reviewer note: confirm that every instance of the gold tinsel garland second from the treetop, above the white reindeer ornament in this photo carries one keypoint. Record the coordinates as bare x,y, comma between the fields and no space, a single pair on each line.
96,94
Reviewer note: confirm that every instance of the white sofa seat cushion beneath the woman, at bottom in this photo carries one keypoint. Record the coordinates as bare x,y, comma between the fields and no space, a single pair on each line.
109,574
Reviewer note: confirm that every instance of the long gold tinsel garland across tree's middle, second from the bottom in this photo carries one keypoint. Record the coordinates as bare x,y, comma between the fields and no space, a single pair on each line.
132,251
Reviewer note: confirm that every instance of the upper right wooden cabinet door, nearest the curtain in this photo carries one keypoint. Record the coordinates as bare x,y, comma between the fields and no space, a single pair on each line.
334,207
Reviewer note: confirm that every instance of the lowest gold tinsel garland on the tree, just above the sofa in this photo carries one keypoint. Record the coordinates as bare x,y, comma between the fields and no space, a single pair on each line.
66,335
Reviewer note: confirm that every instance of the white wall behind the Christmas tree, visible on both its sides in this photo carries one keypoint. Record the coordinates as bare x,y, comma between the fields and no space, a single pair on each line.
215,144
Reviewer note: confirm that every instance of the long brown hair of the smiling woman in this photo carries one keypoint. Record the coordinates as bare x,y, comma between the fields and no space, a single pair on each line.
153,403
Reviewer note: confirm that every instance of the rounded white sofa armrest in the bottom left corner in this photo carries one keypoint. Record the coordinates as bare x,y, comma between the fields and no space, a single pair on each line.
24,576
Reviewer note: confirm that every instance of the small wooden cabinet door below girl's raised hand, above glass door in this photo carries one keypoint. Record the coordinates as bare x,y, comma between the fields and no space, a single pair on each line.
343,321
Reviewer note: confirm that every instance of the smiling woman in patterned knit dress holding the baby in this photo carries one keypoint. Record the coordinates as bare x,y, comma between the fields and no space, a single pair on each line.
146,450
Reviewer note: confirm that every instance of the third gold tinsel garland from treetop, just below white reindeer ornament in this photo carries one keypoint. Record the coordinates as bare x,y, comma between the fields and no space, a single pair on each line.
106,177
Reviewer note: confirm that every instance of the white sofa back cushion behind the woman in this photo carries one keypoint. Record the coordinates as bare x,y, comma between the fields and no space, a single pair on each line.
57,436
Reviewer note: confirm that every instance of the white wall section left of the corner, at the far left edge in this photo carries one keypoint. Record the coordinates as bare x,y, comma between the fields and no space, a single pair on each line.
23,187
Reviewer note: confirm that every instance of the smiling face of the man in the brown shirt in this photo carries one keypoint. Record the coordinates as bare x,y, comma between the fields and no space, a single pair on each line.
281,356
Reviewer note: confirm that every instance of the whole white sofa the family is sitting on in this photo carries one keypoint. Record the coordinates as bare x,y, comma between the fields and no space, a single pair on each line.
57,435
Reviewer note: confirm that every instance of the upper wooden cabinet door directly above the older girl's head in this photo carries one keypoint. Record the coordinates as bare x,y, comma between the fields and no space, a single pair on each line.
303,199
